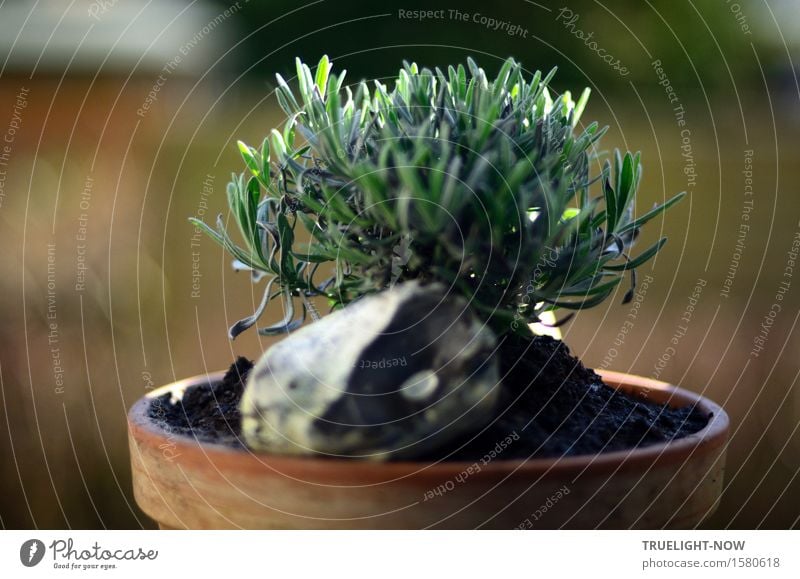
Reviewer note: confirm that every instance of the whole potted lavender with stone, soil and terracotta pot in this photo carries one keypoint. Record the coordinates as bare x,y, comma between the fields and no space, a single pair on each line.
442,221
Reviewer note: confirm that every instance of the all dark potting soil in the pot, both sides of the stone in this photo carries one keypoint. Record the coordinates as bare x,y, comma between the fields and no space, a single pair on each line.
551,405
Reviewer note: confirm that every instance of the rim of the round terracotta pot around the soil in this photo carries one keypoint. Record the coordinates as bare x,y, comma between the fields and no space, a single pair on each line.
366,473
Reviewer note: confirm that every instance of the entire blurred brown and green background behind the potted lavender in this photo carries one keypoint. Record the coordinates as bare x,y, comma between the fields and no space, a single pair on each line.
118,120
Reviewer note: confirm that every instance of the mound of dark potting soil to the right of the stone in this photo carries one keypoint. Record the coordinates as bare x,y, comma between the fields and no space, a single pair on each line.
554,406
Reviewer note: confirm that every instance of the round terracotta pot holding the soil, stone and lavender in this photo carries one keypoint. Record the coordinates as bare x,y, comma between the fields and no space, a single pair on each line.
185,484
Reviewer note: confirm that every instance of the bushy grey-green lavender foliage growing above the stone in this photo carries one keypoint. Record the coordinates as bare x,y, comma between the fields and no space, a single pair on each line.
485,183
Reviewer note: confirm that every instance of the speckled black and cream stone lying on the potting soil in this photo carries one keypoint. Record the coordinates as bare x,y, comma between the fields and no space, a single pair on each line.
394,375
